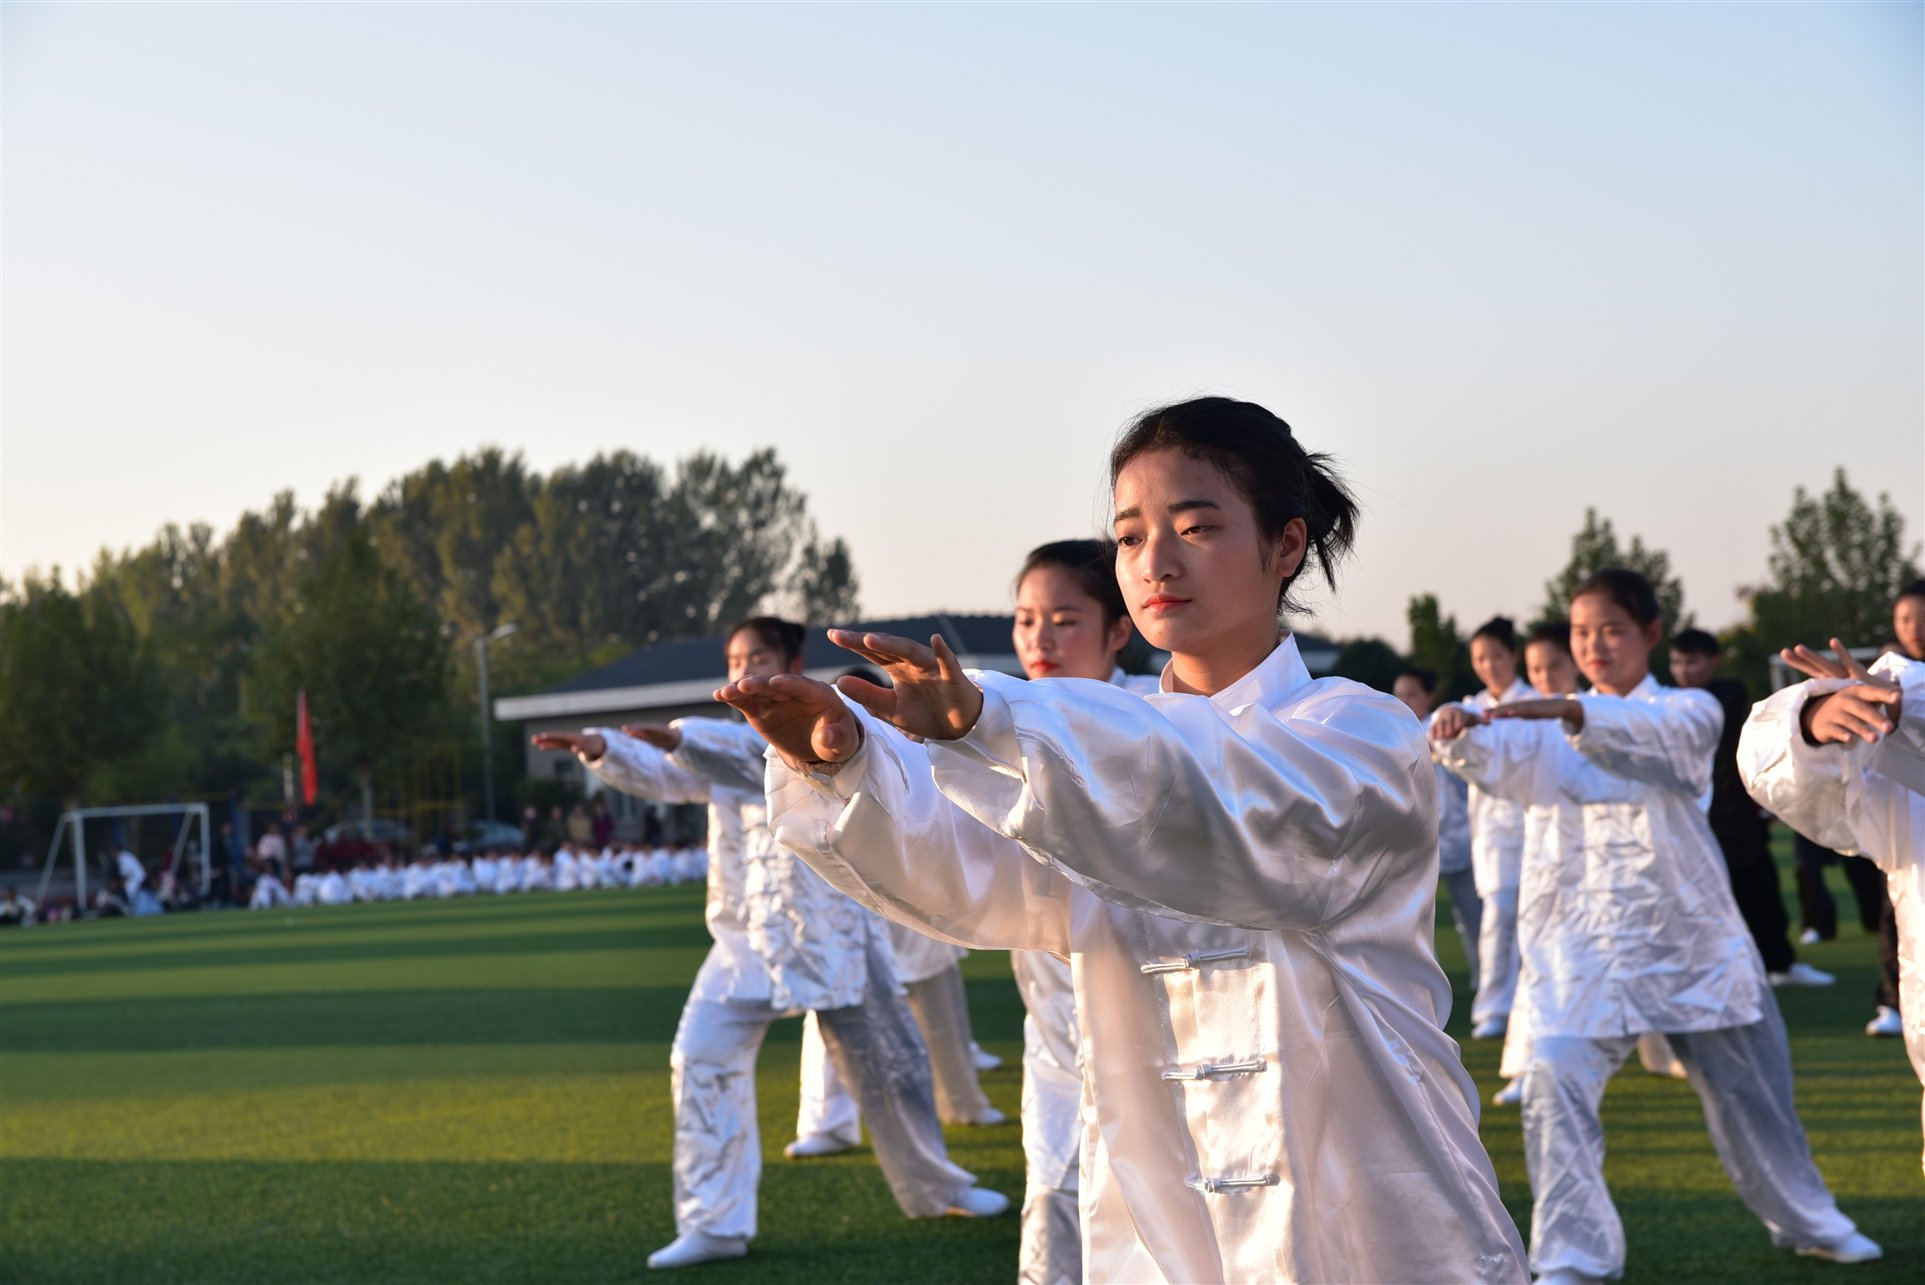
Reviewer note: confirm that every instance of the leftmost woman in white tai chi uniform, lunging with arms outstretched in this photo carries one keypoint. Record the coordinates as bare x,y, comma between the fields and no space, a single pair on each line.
784,944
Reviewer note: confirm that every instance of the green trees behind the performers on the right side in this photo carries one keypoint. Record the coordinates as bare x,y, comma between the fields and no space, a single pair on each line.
1834,568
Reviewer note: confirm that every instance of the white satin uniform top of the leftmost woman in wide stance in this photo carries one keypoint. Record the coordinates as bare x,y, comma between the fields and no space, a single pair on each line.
784,938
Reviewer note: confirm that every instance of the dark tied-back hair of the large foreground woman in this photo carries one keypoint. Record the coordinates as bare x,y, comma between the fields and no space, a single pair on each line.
1270,468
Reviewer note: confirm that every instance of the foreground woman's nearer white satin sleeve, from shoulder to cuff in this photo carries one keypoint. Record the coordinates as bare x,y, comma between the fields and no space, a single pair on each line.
1181,807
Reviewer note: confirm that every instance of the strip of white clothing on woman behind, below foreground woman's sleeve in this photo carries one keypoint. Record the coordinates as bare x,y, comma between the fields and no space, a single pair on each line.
1052,1122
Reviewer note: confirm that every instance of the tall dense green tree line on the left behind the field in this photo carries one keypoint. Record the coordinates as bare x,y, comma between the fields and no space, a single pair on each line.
170,672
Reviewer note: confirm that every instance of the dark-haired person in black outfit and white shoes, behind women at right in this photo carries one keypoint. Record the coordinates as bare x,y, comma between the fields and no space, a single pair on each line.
1735,819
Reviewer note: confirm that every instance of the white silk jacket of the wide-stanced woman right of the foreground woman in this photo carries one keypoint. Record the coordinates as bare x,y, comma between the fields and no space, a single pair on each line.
1626,915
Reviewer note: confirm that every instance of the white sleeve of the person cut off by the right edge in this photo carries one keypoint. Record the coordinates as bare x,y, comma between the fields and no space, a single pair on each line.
1828,794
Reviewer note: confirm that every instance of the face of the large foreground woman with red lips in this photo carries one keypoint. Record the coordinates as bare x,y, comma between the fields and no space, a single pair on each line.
1194,570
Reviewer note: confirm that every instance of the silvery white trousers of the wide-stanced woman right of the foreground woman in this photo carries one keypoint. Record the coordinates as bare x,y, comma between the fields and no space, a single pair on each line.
1745,1080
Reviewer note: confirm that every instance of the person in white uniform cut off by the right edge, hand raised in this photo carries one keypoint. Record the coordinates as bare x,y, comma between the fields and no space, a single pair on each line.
1843,761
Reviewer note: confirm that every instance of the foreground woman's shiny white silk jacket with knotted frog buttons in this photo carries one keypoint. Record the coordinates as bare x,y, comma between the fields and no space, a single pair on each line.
1245,888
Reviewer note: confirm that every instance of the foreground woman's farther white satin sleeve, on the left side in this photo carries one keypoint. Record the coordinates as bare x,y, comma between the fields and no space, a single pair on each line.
883,834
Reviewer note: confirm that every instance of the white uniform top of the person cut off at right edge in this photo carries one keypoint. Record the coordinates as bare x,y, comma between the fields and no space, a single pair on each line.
1859,799
